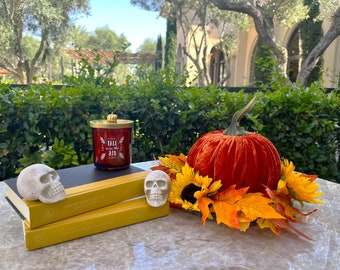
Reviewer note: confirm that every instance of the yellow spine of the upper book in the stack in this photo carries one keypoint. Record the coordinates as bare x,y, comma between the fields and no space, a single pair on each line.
41,214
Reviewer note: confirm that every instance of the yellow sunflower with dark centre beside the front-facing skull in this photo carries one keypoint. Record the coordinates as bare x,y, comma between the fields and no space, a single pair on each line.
190,187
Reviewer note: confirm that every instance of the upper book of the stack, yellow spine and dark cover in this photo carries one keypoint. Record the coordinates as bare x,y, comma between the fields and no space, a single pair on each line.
80,198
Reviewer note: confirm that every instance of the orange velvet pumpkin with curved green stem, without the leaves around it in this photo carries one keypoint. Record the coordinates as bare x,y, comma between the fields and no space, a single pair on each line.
235,156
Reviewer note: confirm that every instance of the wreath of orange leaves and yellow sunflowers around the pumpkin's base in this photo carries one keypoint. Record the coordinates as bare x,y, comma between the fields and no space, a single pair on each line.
238,208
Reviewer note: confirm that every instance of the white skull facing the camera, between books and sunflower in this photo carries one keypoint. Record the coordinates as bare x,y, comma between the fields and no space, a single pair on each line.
157,186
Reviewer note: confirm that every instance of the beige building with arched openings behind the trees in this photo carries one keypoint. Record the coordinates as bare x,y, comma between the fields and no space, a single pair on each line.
241,62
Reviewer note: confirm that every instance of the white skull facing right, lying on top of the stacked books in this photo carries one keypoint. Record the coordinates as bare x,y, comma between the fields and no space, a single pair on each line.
40,182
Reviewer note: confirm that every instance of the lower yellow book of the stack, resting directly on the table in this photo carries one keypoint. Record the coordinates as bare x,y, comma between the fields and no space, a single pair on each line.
100,220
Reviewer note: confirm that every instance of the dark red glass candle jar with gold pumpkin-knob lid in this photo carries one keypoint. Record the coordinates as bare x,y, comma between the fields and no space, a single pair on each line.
112,143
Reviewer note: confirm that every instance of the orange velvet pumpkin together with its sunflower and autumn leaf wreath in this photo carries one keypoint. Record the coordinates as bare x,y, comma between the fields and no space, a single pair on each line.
248,182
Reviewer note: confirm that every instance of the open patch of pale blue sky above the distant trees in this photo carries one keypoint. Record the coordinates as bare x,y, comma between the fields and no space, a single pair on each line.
122,18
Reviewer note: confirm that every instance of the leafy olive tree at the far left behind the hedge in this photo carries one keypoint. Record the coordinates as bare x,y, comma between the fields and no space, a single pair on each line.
46,20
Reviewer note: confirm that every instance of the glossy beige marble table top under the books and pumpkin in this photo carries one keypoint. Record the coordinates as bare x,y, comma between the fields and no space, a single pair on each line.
180,241
